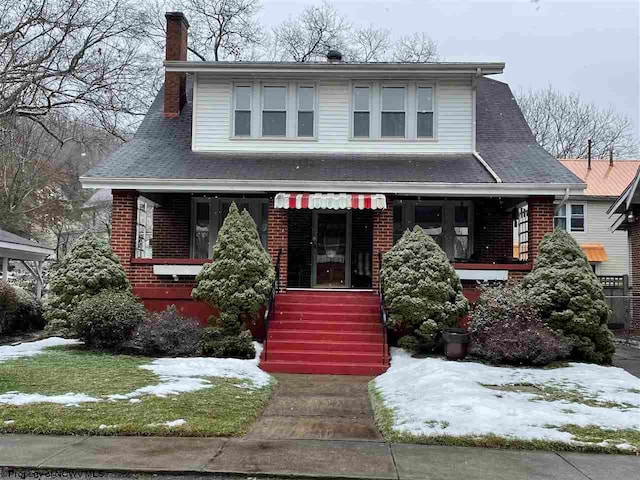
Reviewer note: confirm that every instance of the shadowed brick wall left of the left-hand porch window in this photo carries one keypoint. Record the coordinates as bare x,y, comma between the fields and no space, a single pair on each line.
172,227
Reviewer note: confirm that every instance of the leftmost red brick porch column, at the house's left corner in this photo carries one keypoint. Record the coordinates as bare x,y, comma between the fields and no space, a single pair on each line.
123,226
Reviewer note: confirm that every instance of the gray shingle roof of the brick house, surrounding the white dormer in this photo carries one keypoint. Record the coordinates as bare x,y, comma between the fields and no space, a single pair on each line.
161,149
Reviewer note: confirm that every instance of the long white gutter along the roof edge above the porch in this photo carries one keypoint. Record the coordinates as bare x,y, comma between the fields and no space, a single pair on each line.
400,188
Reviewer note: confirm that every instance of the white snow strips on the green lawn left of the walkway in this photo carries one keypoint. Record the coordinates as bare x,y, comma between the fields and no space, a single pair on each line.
177,375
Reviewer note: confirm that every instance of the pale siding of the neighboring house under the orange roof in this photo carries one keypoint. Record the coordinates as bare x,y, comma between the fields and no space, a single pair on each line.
597,231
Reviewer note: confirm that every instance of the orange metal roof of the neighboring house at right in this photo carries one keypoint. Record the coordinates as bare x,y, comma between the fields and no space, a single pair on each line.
604,180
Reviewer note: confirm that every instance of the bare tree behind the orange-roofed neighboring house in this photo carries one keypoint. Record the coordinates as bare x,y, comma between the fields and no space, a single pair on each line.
563,124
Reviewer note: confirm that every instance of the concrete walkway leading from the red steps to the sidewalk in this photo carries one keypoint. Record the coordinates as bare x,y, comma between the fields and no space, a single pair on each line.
318,407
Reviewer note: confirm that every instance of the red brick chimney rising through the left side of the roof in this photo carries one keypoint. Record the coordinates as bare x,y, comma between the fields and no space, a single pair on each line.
175,84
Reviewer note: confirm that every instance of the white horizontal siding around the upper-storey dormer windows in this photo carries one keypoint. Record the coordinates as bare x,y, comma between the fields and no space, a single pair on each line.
212,123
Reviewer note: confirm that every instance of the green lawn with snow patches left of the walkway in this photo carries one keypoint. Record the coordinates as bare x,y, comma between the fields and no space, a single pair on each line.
122,393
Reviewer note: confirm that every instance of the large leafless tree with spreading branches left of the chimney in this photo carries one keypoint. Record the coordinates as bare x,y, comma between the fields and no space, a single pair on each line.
75,55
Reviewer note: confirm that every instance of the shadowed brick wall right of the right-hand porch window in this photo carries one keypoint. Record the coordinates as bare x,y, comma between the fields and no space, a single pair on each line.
493,232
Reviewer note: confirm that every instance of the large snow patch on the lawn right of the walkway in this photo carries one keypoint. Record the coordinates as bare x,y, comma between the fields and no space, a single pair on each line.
432,396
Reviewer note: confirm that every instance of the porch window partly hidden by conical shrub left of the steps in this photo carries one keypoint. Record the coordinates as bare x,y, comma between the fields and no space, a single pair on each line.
208,214
